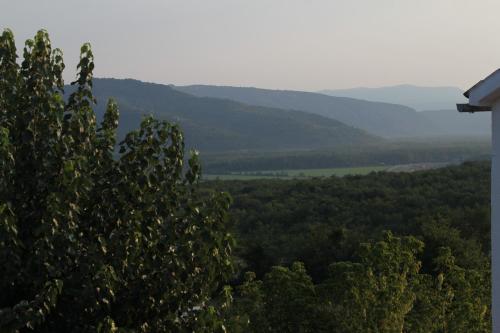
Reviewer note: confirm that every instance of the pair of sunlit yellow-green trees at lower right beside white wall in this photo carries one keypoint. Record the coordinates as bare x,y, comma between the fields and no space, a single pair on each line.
386,292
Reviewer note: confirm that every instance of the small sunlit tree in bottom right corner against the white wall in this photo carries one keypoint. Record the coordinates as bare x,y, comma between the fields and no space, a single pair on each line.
455,300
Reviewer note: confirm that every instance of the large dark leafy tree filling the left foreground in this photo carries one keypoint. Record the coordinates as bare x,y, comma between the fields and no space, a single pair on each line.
92,239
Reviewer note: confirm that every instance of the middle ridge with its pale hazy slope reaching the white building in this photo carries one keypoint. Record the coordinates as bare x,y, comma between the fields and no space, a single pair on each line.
383,119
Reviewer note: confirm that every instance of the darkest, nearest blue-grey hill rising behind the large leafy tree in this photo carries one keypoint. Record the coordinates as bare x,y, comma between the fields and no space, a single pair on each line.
216,125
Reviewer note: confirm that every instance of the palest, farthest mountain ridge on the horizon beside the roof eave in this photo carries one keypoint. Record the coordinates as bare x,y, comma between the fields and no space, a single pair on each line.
419,98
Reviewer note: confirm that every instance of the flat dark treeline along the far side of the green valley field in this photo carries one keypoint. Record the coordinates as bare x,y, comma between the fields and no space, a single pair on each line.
368,155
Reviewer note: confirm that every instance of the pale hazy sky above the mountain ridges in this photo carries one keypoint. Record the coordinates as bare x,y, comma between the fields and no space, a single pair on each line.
279,44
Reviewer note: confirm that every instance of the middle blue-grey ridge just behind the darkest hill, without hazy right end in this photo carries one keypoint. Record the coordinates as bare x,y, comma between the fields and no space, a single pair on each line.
384,119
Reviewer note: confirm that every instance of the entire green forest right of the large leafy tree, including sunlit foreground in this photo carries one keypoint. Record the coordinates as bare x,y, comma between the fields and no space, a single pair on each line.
387,252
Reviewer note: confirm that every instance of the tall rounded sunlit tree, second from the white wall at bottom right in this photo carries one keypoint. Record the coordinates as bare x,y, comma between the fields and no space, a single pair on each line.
376,294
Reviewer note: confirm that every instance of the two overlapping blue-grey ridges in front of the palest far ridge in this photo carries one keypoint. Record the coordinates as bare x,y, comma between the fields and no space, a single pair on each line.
223,119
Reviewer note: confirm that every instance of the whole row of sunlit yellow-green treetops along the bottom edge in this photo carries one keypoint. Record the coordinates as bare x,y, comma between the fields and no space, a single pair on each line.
385,291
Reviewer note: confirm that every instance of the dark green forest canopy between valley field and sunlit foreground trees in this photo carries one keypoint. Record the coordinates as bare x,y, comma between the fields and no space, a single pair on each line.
321,221
